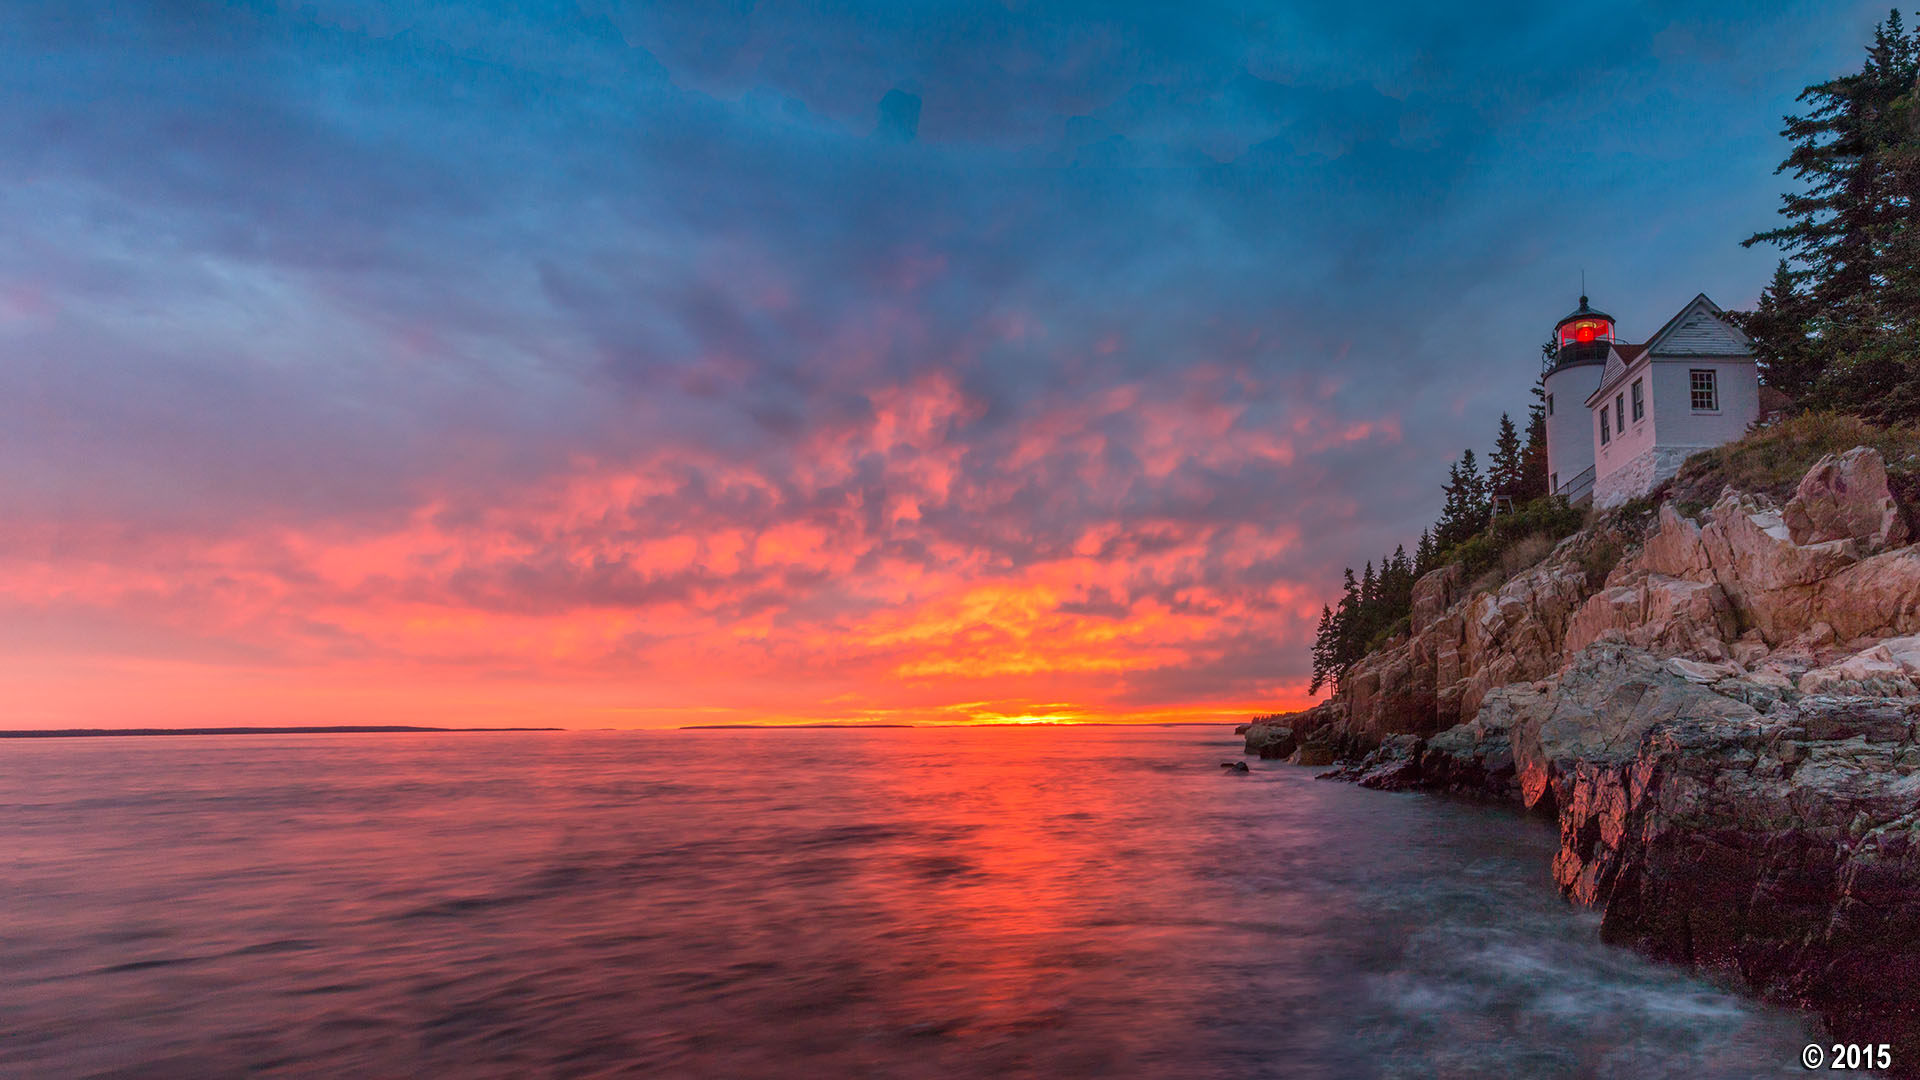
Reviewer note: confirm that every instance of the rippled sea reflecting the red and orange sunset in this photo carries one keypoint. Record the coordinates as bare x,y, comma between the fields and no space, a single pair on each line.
1003,902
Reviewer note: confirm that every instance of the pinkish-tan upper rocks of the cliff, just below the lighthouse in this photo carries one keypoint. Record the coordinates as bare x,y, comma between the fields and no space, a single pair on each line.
1754,579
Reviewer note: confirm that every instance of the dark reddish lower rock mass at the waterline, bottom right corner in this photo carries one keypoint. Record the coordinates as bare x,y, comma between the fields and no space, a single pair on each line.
1781,847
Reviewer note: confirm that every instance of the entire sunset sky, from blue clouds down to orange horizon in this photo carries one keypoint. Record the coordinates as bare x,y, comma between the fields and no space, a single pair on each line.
617,364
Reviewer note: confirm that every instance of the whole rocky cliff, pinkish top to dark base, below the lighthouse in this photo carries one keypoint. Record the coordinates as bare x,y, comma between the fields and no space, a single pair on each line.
1723,716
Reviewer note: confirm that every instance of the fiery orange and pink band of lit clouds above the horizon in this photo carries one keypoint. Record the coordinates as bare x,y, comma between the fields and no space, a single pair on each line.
612,599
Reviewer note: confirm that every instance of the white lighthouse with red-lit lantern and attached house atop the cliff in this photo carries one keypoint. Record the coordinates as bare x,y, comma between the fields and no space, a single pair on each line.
1621,418
